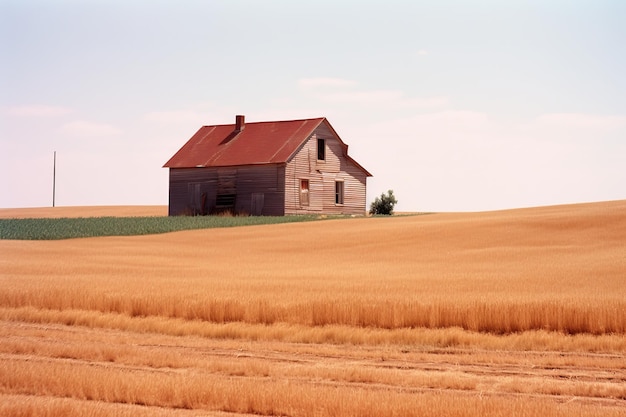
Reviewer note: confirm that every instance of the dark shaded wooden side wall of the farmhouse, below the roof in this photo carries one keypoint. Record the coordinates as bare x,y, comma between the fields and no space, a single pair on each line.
258,189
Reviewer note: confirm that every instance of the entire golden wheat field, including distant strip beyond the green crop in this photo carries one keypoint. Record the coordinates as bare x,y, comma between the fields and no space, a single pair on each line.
509,313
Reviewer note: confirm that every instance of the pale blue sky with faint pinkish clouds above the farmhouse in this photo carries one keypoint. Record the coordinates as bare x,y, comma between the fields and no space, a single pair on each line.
455,105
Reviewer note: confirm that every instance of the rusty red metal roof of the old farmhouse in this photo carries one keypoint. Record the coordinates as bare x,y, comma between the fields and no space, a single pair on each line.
256,143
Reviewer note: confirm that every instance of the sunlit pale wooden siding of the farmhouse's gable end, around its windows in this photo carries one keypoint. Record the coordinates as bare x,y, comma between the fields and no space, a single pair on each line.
322,176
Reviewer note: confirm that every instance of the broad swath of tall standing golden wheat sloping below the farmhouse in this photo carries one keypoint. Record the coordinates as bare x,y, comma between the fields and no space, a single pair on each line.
500,272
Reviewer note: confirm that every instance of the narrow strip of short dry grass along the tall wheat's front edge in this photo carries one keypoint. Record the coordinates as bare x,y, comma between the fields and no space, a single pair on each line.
540,340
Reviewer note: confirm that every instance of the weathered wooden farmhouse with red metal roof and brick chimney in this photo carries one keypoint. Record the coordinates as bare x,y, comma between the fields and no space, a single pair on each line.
266,168
